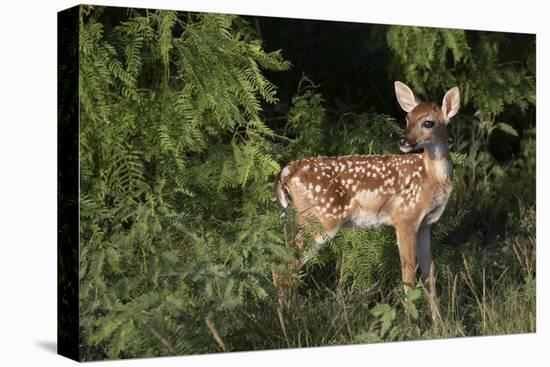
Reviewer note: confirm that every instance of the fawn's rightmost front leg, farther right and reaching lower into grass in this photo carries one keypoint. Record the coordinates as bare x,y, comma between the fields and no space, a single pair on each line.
427,266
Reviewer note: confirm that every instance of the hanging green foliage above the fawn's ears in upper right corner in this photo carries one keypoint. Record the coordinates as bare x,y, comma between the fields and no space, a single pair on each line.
434,59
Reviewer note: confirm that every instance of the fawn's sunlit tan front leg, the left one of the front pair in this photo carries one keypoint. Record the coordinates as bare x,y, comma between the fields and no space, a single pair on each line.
406,242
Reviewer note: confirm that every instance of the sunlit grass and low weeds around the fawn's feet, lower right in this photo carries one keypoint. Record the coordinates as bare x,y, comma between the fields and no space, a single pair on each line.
493,292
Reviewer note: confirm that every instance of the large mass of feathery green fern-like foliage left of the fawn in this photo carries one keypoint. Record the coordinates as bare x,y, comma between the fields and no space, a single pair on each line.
176,168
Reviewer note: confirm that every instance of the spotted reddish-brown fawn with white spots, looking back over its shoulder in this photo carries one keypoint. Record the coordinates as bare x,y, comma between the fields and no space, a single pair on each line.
407,191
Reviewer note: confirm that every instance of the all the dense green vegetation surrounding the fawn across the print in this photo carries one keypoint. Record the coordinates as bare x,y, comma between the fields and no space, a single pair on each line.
183,130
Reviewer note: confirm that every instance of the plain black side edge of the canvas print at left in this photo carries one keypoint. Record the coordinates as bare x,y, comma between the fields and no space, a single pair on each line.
67,182
